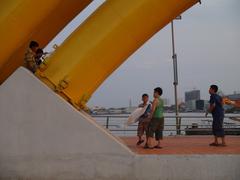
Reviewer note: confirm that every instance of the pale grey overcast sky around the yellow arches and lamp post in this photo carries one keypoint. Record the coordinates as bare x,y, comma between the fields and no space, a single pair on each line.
207,45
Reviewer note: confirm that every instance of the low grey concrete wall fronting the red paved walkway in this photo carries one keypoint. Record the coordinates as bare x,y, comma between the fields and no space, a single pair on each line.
188,167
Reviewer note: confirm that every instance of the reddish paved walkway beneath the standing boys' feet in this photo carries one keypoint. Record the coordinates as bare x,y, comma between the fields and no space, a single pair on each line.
187,145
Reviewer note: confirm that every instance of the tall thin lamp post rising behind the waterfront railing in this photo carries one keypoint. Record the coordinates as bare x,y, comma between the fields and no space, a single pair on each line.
175,81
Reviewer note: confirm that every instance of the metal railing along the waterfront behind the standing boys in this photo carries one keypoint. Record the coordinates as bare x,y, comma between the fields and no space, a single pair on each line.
115,123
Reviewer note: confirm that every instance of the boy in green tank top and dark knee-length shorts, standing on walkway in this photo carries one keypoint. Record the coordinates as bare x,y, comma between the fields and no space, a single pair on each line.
157,121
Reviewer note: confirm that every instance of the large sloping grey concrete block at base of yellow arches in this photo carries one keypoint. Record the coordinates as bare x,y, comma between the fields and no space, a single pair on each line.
41,135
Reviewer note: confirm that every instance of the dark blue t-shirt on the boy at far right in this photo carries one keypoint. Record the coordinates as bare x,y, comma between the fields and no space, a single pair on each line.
218,110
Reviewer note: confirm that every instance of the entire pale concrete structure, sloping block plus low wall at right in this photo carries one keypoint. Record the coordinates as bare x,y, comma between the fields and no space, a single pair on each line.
43,137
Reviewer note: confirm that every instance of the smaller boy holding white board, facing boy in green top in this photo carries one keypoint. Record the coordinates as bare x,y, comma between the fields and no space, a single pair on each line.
144,120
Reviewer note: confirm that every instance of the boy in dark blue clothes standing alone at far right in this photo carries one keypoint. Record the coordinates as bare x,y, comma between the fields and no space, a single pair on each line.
216,108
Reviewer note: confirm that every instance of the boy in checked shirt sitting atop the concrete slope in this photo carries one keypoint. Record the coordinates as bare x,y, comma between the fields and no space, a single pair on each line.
30,55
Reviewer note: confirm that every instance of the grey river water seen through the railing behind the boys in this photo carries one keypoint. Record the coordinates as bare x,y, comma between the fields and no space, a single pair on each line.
116,123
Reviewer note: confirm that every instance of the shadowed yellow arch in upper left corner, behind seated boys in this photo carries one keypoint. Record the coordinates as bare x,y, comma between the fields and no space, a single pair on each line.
52,17
